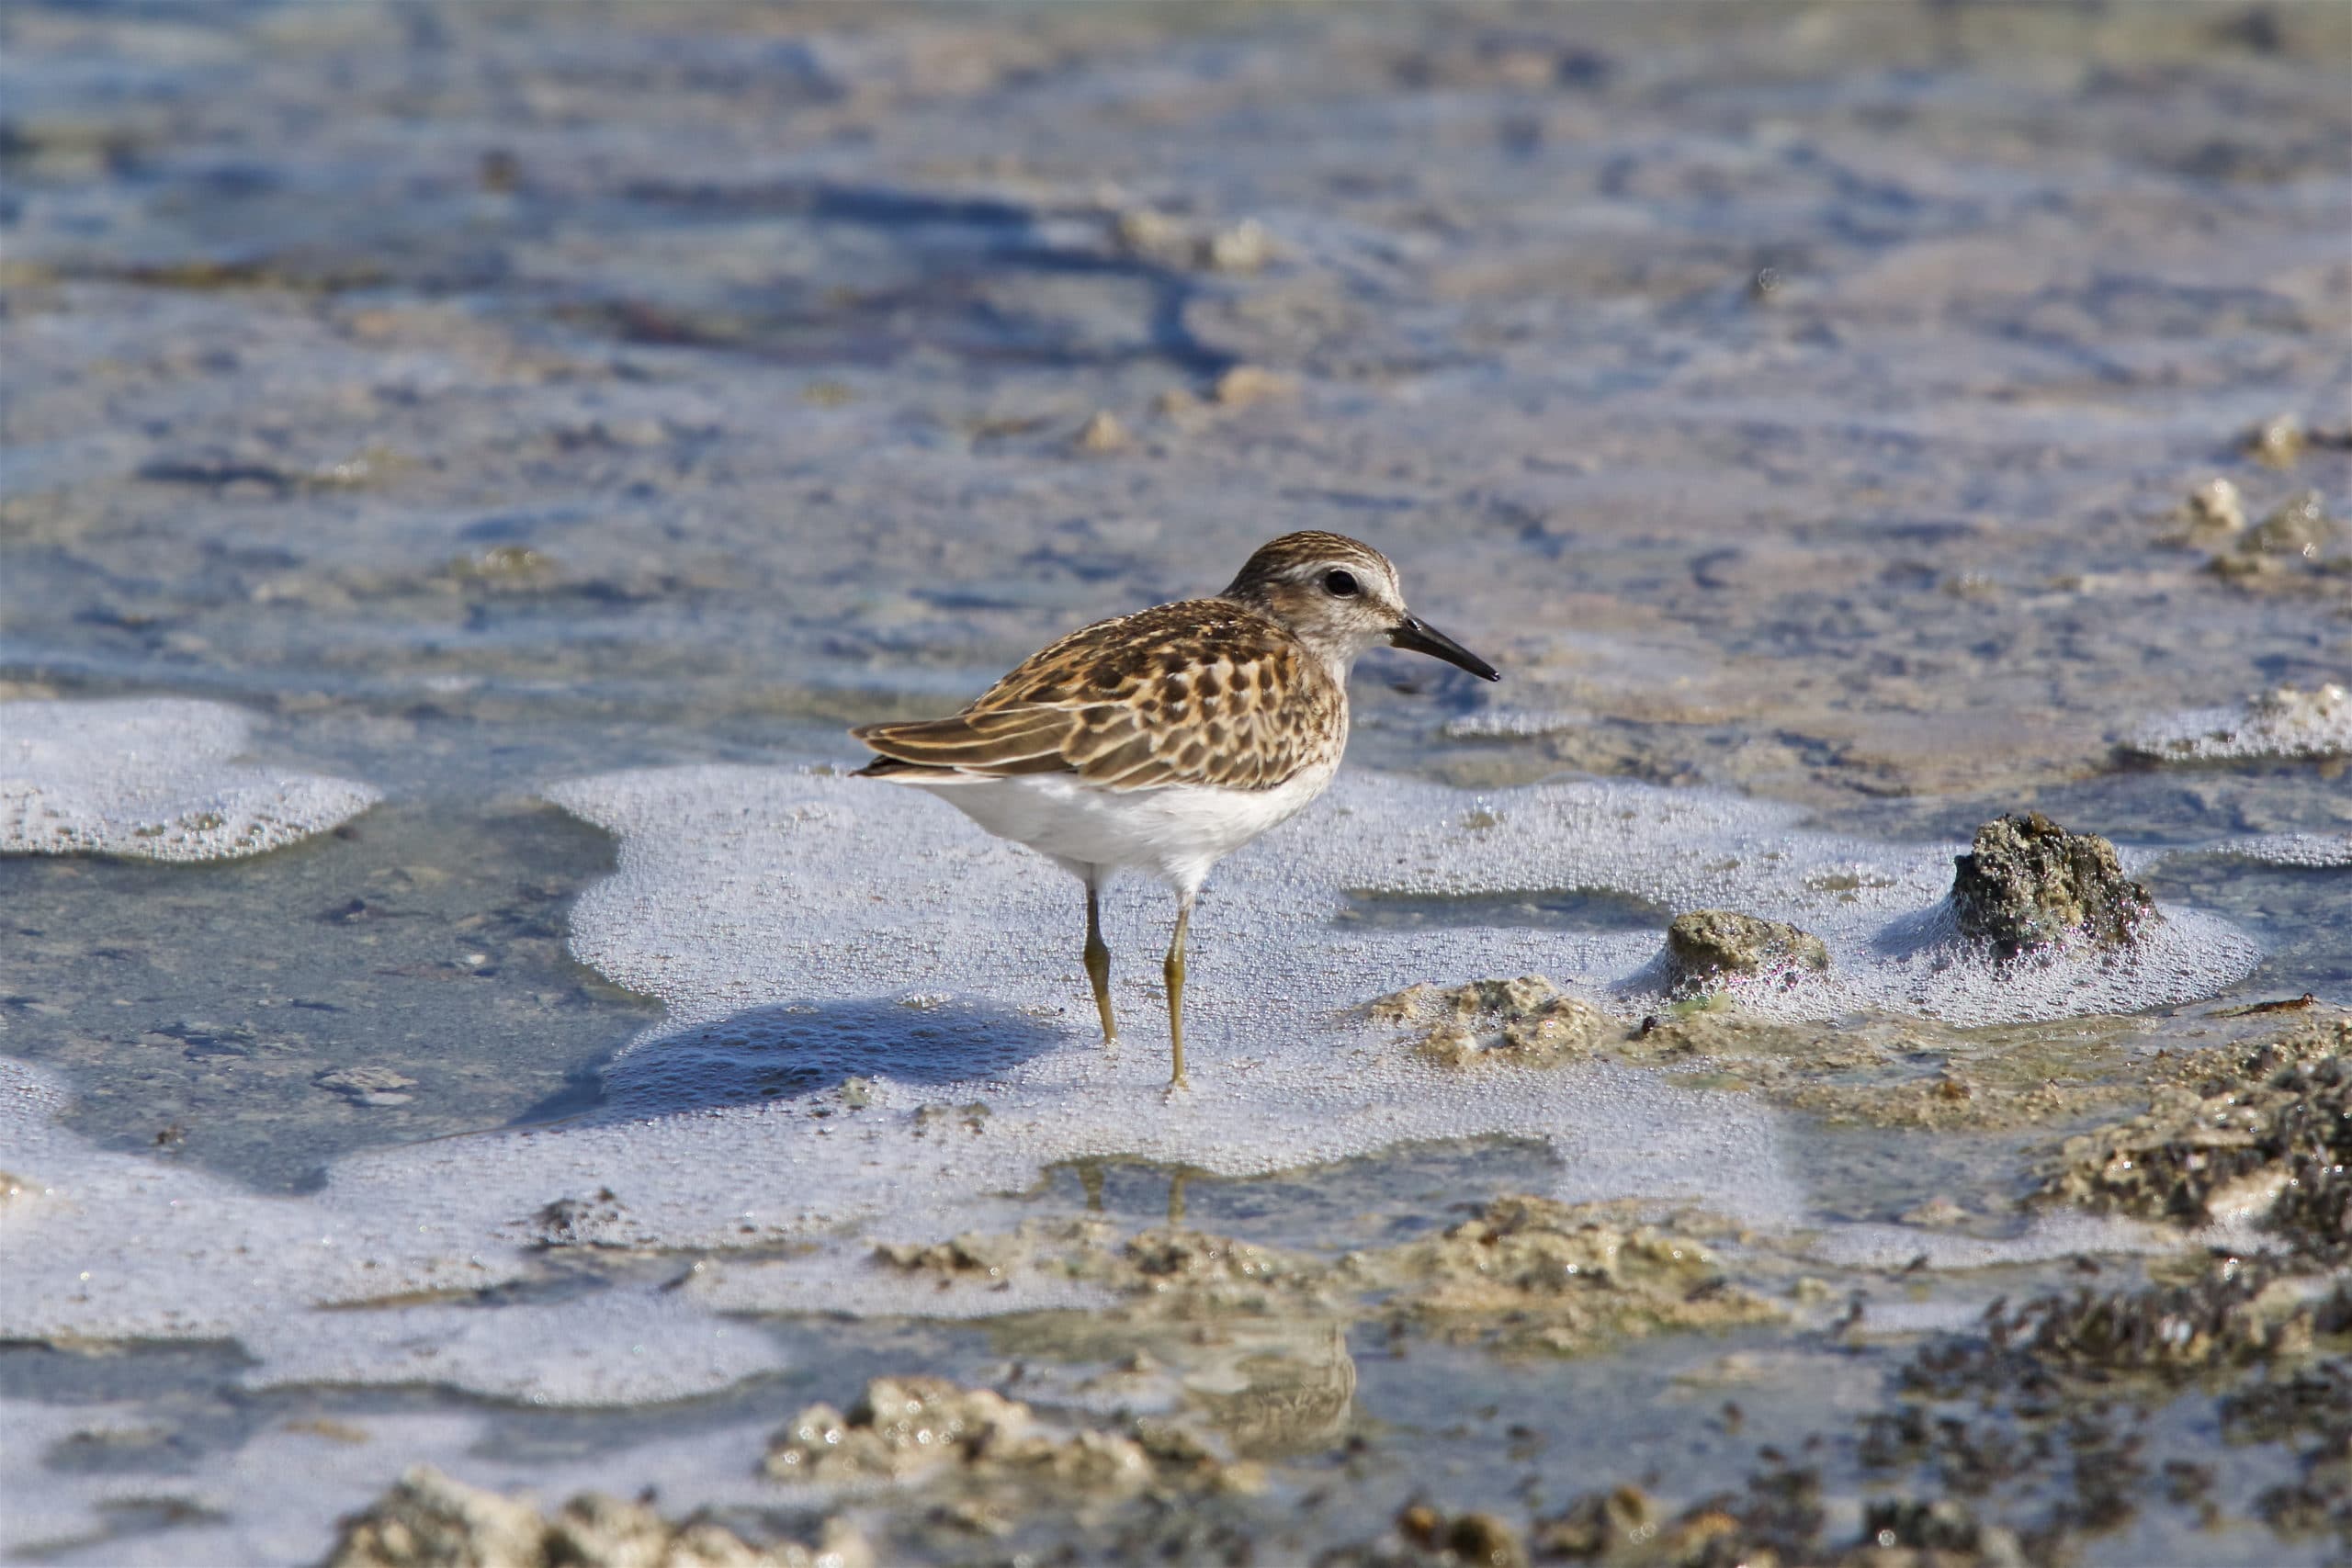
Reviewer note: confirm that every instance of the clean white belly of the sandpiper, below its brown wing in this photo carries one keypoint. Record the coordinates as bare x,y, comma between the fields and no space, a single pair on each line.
1175,833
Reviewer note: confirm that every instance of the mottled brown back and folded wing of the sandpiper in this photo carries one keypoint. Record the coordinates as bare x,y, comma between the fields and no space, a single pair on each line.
1198,692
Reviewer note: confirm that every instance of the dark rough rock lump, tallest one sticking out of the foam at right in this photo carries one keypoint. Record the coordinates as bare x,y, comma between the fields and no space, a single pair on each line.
2029,883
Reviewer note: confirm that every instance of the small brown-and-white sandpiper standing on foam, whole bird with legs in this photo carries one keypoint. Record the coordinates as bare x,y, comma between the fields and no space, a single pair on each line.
1168,739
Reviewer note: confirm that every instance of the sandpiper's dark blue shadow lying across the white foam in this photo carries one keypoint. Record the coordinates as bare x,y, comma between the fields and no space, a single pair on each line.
799,1050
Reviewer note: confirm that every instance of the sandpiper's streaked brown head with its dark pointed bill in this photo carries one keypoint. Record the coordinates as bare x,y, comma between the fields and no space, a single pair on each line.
1339,598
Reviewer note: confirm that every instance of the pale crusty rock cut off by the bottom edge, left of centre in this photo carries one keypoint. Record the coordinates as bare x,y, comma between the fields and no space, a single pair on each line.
434,1522
